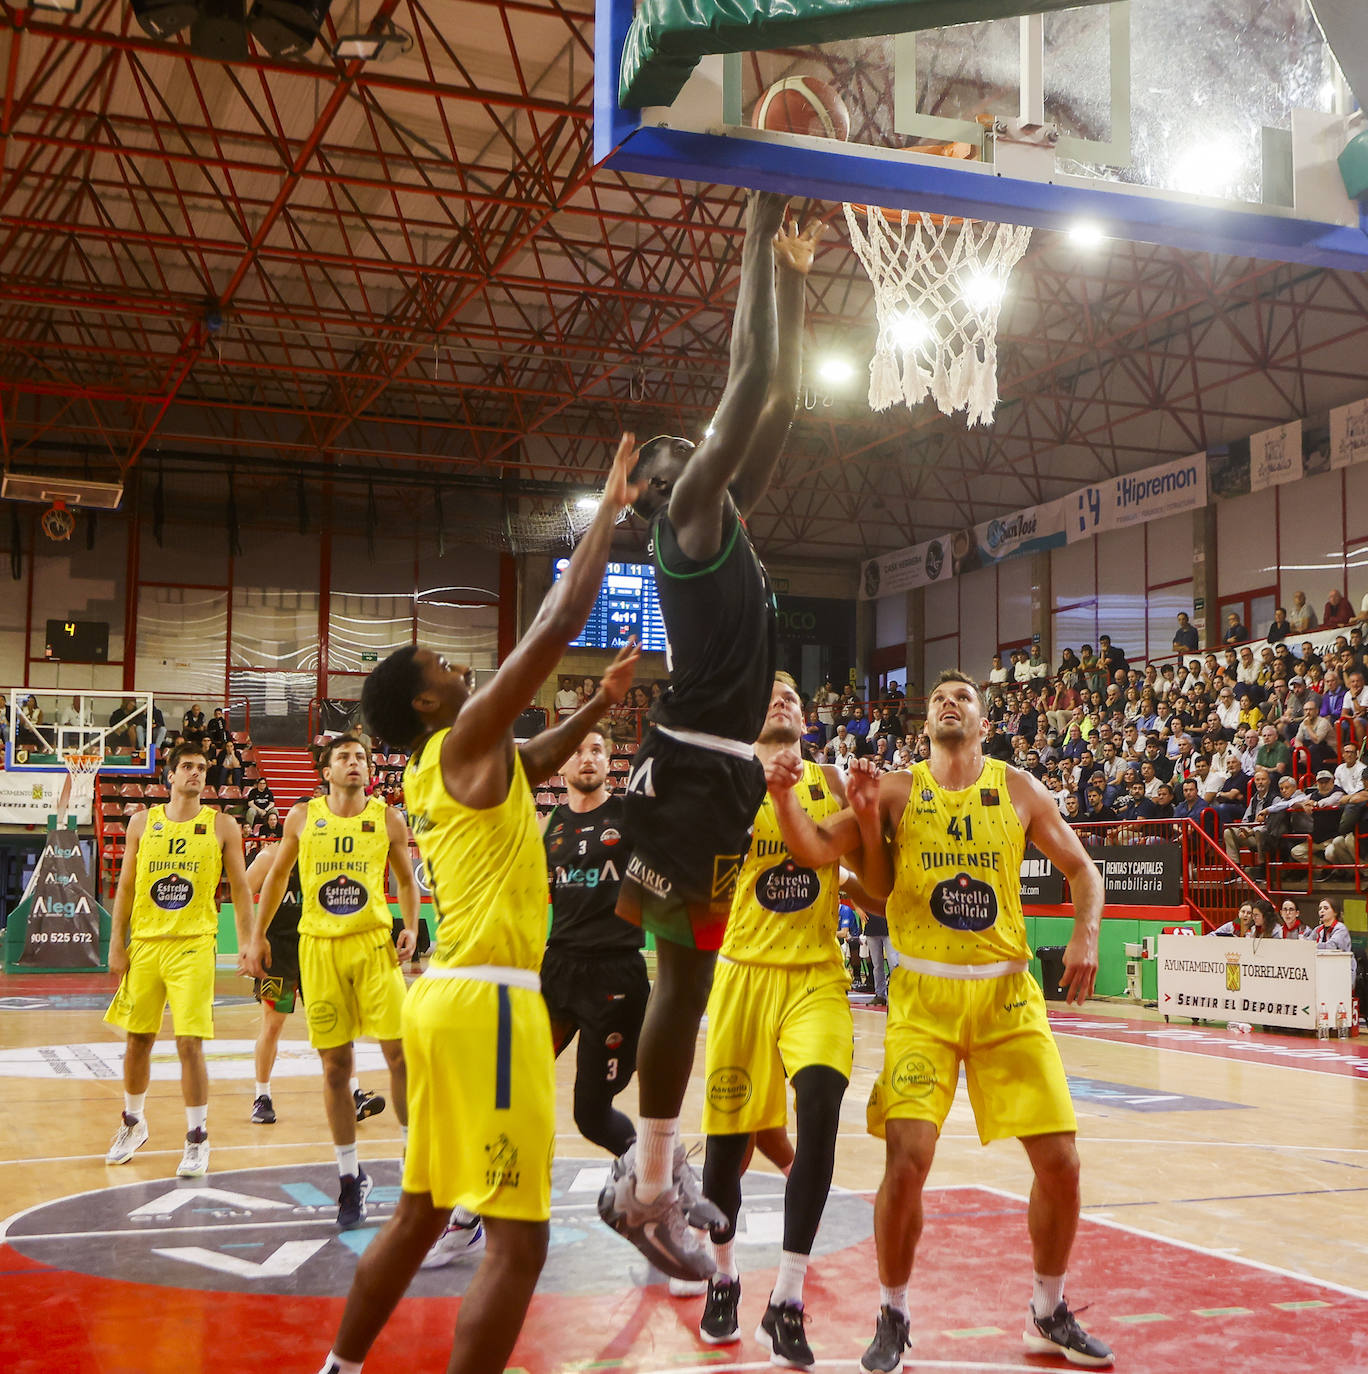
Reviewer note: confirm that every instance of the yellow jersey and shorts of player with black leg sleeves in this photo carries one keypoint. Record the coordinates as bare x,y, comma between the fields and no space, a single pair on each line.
779,995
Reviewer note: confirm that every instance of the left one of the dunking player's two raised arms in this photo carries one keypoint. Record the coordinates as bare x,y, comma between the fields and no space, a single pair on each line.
700,495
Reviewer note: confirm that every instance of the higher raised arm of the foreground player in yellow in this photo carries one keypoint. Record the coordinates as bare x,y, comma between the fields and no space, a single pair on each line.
484,722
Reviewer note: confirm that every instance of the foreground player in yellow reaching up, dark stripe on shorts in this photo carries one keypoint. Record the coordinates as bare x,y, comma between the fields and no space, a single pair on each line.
476,1030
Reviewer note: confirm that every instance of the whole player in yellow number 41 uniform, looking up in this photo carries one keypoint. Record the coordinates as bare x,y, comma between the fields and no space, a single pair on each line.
944,843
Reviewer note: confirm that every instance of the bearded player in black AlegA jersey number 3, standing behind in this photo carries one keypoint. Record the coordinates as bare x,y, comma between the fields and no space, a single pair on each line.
593,976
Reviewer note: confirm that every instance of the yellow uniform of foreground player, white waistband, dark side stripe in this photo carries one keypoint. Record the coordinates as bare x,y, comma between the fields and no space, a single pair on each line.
477,1039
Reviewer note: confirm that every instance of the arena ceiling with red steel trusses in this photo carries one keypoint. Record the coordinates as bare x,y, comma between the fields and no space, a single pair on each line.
411,270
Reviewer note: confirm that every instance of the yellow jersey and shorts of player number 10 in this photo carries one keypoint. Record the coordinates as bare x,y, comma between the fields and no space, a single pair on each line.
347,954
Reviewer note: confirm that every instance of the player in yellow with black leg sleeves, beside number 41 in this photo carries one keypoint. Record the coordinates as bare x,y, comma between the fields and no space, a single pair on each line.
779,1011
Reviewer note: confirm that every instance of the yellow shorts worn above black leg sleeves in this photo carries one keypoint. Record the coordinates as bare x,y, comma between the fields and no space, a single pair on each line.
764,1024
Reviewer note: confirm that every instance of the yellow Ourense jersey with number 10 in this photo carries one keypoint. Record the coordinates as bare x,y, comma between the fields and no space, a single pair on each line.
343,872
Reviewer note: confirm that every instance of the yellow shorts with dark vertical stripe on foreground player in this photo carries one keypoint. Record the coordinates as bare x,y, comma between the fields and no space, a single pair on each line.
481,1097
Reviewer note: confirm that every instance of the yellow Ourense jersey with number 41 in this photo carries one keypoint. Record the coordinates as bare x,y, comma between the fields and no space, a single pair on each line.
957,886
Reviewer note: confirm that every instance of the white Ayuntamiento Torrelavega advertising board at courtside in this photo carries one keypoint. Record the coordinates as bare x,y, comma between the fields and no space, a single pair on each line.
1264,982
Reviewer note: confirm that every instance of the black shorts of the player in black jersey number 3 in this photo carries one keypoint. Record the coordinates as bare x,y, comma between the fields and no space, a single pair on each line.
605,1001
